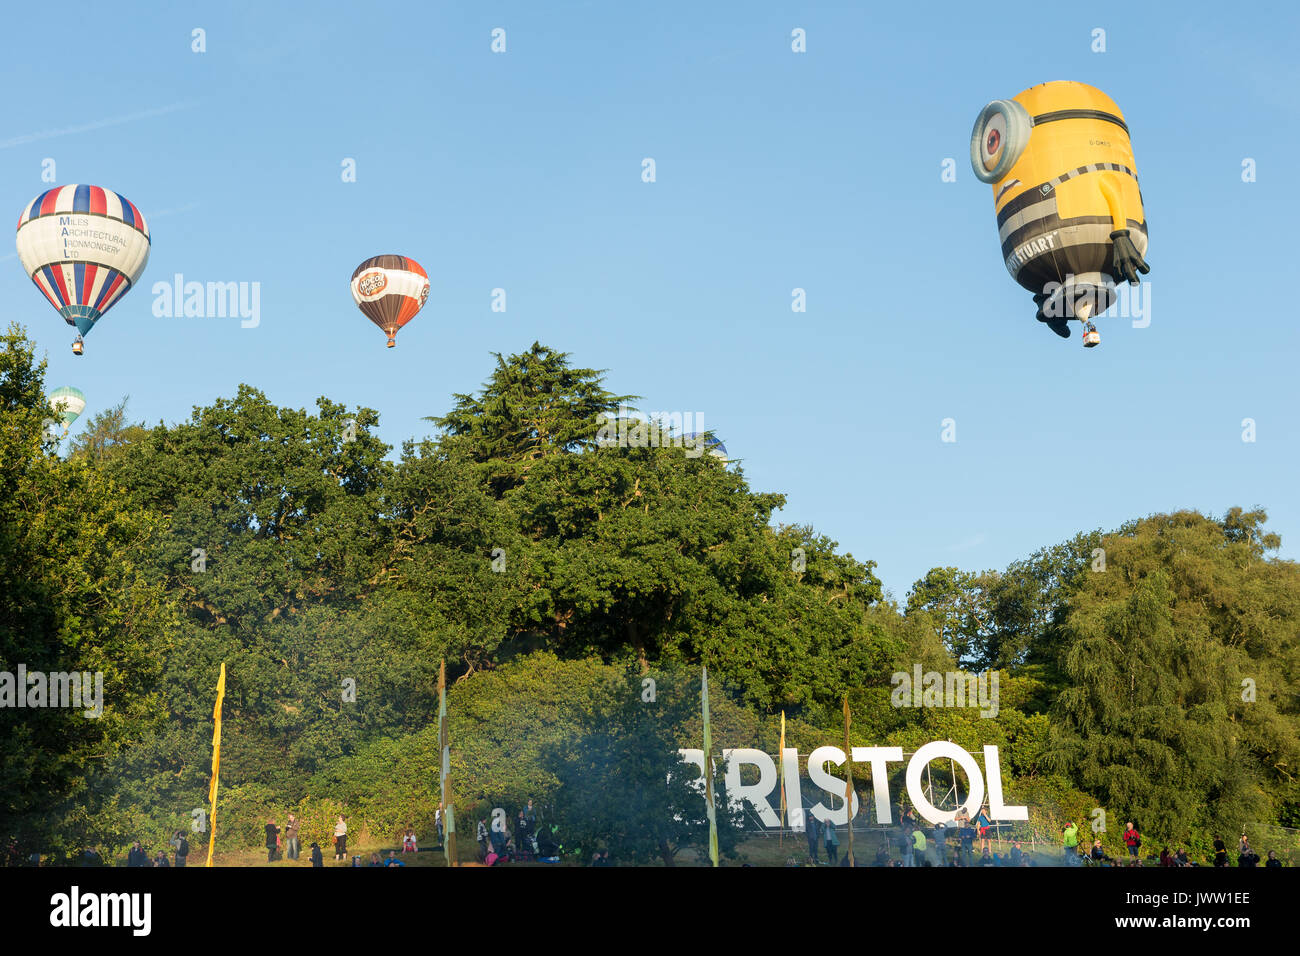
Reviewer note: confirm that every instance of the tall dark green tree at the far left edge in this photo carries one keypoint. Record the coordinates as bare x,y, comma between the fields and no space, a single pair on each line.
73,599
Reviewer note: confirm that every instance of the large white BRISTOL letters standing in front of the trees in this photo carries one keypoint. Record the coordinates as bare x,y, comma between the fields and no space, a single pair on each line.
878,759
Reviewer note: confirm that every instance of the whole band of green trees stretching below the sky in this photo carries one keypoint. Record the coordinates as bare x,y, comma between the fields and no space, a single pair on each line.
1154,669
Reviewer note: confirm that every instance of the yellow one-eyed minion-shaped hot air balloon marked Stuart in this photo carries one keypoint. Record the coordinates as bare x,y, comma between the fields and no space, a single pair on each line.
1065,191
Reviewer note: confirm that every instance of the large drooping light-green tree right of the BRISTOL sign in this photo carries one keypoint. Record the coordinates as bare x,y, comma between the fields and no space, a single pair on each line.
1184,704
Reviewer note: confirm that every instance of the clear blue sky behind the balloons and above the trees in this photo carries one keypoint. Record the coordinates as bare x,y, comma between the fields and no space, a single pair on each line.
774,171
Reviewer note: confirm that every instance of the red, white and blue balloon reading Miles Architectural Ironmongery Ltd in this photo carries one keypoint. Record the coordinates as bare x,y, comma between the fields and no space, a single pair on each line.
85,248
